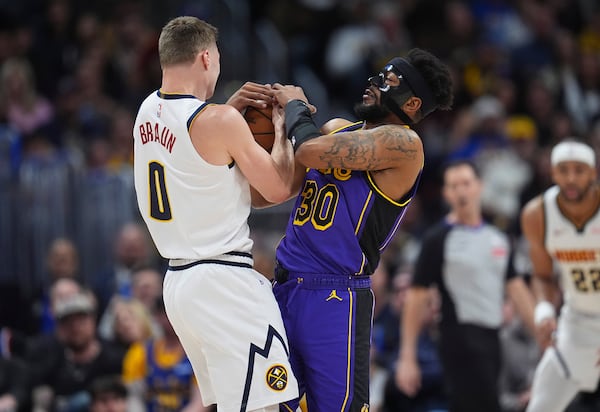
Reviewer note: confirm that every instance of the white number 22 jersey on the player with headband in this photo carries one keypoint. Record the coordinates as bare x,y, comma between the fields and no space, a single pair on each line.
576,253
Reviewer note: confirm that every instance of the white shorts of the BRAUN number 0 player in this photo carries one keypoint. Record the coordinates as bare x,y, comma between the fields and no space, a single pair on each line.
230,326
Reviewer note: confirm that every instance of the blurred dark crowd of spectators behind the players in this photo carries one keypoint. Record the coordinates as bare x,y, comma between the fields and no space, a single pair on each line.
72,74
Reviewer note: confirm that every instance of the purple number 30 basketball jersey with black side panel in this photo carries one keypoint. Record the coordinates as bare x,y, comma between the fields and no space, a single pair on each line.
340,224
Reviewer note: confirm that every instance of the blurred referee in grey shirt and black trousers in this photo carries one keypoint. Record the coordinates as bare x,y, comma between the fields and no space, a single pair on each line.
470,262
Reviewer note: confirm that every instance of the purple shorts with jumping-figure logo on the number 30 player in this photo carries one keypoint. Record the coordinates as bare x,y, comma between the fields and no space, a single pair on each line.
328,321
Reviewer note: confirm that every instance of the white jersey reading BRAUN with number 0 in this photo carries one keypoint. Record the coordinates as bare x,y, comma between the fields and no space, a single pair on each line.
194,210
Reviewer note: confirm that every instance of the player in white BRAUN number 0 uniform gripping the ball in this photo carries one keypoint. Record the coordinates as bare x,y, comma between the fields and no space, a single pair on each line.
194,164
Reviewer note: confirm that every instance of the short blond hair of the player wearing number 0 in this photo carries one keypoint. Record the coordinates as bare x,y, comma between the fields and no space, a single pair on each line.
182,38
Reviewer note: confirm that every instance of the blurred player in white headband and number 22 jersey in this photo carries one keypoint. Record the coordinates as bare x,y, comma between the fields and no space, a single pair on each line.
562,227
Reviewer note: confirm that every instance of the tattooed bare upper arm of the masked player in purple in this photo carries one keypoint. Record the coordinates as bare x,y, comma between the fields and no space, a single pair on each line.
392,153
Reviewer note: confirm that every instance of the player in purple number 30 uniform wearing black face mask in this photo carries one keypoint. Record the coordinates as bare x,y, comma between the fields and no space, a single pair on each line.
353,197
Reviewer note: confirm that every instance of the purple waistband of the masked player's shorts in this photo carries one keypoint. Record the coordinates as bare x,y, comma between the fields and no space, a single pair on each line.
322,280
